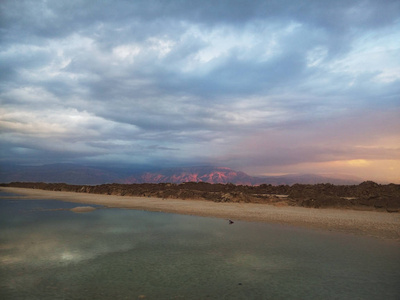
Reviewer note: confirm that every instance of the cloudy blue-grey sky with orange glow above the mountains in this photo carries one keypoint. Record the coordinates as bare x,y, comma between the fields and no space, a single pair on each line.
265,87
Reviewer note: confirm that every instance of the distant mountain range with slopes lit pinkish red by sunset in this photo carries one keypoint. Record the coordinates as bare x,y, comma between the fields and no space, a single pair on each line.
77,174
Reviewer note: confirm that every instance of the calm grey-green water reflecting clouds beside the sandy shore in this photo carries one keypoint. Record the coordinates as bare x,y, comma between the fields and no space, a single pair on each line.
126,254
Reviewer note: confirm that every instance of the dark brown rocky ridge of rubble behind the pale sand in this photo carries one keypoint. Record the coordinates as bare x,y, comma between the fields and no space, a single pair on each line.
365,196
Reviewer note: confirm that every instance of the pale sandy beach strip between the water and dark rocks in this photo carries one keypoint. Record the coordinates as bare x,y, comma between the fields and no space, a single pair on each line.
377,224
